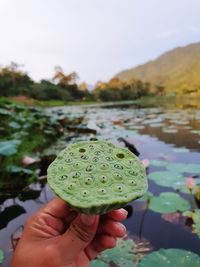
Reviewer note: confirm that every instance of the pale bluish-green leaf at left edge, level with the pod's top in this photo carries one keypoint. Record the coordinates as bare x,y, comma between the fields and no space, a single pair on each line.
8,148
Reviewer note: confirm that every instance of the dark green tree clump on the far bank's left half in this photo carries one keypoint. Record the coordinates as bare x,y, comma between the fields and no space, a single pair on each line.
14,82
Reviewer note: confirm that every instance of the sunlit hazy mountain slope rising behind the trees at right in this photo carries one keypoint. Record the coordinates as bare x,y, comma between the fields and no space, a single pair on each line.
177,70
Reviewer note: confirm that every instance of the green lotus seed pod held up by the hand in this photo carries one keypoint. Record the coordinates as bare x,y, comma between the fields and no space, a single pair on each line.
95,177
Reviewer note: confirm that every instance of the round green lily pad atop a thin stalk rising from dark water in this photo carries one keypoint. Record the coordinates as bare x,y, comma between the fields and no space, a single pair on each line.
168,202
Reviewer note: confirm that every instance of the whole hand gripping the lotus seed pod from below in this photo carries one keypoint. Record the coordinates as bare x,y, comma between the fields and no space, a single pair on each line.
57,236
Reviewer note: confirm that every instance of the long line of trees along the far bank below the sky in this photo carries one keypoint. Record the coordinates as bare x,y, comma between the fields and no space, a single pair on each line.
64,87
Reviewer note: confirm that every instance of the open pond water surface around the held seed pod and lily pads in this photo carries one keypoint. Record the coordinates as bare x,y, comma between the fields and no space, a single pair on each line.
162,136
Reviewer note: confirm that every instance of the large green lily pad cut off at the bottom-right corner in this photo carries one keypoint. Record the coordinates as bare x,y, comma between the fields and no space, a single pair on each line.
171,258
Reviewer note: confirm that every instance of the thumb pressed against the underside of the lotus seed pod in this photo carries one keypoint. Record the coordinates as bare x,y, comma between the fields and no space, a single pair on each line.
80,233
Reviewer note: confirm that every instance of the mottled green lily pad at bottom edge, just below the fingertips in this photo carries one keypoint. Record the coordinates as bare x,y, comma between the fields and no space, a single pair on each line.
122,255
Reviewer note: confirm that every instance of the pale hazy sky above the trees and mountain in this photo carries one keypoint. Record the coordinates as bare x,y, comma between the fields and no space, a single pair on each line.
95,38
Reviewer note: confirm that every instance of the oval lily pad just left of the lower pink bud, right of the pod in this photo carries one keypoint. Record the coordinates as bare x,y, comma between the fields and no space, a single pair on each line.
168,179
